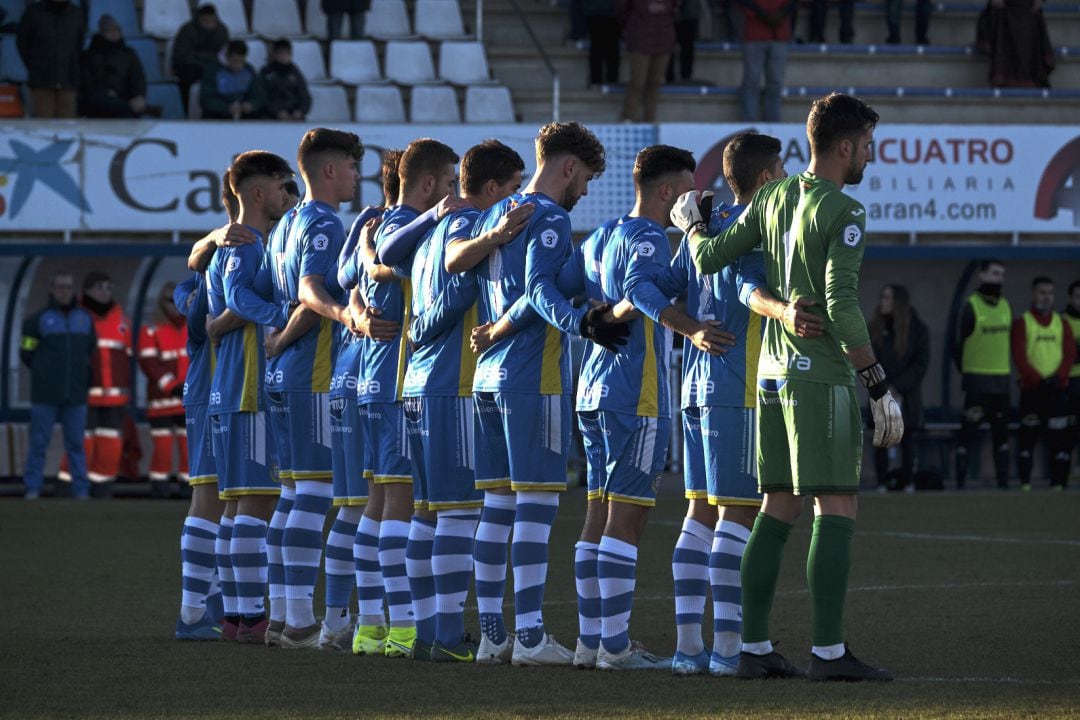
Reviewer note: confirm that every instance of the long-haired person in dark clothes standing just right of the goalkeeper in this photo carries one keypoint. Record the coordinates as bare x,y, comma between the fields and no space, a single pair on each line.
901,343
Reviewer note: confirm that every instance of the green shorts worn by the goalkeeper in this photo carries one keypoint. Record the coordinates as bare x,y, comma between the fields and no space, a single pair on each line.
811,438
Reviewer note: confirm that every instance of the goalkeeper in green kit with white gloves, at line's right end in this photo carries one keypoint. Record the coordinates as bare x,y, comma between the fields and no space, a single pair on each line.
809,425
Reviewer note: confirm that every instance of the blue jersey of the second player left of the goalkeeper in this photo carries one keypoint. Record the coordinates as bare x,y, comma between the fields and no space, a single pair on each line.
634,379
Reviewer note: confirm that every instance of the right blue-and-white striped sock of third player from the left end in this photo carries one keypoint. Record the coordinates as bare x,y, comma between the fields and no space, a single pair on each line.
303,549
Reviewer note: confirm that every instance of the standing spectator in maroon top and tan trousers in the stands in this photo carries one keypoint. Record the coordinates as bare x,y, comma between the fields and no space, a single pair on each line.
649,30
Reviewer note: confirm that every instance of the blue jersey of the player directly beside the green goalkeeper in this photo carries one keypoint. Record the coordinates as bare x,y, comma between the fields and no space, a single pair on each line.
727,381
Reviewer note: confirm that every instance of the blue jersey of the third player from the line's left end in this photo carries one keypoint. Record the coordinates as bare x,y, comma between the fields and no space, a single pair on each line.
313,239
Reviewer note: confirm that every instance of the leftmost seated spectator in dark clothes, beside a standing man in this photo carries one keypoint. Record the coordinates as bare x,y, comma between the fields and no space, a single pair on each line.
114,85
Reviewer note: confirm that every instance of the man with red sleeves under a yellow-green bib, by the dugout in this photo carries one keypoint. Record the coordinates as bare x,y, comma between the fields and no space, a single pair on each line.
1044,350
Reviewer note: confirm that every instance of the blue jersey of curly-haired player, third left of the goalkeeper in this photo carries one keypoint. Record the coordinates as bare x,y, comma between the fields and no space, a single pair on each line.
536,358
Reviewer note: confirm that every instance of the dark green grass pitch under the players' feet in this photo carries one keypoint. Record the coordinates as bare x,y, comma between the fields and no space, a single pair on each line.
973,600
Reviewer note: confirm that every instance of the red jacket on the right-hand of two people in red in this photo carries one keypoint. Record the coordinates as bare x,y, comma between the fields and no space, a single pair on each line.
164,357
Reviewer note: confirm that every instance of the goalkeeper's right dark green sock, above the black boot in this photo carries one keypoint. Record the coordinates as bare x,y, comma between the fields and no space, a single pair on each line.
828,568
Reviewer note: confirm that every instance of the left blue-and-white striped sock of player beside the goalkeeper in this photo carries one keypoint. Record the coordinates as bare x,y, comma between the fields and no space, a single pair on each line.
691,572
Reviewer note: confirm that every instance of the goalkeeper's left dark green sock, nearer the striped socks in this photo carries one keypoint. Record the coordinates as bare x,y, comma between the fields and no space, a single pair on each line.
761,569
